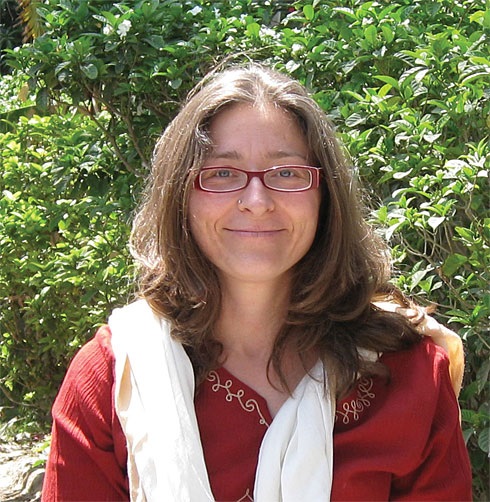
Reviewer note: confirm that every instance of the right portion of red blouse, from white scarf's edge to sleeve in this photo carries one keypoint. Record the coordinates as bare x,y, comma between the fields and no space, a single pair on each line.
401,439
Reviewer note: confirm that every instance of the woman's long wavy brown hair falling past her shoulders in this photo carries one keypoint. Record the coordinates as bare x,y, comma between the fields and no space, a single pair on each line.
331,307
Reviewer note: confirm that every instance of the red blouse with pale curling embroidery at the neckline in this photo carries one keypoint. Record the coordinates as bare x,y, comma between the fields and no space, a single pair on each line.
395,440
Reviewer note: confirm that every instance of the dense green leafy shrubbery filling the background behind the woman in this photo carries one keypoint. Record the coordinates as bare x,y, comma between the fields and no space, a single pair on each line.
83,100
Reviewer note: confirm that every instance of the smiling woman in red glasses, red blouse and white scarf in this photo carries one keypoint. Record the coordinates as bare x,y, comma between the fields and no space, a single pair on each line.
261,361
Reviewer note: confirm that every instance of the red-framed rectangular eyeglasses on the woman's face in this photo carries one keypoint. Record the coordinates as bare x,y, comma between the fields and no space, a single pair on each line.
220,179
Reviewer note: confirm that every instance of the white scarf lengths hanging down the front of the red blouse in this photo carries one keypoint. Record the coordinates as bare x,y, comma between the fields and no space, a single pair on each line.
154,400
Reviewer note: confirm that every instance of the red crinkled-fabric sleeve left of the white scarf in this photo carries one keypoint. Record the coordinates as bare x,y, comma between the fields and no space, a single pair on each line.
87,459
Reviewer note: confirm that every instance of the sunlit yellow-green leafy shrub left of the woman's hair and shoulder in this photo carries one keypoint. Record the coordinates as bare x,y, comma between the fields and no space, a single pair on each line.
64,213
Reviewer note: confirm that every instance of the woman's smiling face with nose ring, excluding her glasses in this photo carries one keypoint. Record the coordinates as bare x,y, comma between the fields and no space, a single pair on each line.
264,235
